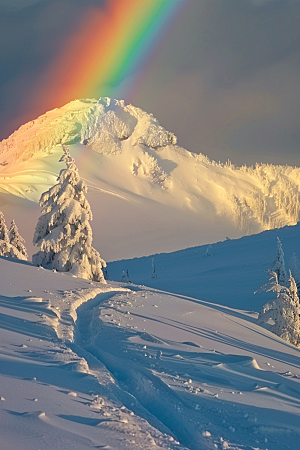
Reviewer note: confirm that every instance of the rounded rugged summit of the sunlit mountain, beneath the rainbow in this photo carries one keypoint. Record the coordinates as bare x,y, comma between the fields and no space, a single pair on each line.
100,124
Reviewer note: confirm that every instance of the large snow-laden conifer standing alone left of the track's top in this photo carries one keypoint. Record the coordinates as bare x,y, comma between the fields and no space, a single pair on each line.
63,231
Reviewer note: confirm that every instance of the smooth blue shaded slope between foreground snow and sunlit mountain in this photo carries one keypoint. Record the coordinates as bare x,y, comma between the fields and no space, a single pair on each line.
229,276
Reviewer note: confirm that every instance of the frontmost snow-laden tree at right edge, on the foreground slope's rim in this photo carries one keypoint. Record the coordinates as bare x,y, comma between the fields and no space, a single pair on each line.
284,310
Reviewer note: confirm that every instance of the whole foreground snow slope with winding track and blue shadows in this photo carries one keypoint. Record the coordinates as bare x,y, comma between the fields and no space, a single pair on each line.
117,367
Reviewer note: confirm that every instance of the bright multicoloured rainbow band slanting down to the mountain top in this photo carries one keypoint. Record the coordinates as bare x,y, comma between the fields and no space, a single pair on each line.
110,47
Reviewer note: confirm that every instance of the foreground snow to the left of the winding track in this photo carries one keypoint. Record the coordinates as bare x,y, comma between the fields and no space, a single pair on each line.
53,394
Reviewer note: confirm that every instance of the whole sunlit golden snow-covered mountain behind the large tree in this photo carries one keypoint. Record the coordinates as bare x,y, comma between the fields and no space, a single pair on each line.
147,194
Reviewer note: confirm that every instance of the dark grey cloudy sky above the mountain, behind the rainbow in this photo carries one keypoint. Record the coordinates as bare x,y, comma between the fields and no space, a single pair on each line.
224,76
